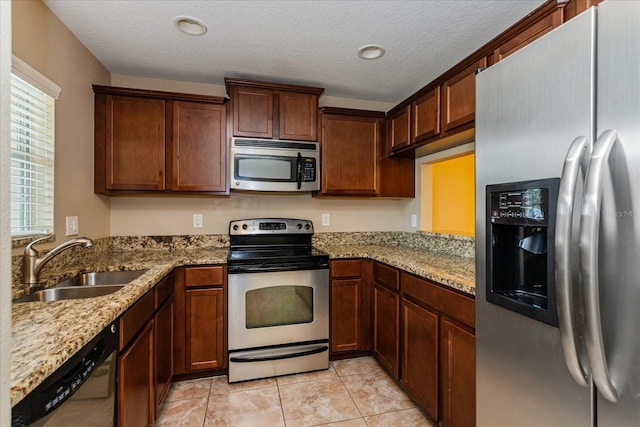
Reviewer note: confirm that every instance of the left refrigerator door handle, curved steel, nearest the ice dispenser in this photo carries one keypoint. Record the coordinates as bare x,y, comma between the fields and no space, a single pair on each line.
579,151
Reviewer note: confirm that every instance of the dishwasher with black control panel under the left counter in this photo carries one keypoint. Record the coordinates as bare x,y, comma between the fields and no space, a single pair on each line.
82,389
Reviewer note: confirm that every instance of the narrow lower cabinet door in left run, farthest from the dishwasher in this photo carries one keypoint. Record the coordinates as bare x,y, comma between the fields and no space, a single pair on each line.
163,350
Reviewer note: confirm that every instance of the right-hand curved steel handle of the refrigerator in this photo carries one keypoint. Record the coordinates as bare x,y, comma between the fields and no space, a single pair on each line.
589,234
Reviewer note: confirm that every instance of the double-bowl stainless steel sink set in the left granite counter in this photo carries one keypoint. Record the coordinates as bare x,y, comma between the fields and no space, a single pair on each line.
85,285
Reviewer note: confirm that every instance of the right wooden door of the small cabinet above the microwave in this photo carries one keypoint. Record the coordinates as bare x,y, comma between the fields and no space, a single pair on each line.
298,116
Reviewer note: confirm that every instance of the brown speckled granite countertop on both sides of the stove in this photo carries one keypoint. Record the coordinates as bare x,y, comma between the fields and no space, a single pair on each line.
46,334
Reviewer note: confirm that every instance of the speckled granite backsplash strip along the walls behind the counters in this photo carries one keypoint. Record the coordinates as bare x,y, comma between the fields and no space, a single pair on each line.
432,242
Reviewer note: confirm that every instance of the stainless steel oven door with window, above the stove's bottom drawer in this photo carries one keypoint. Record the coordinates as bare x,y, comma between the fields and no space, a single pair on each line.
276,308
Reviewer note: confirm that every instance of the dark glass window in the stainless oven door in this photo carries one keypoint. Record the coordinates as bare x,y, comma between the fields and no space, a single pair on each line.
279,305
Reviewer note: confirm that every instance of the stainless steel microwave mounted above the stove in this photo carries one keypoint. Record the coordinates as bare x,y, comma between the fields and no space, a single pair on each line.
274,165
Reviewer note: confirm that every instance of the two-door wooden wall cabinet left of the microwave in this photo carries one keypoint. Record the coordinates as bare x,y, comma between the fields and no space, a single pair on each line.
149,141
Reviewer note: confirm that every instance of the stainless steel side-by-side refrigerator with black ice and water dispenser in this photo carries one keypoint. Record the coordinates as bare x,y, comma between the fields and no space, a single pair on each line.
558,227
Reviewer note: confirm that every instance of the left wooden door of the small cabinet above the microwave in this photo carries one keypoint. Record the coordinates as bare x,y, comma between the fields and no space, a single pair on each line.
252,112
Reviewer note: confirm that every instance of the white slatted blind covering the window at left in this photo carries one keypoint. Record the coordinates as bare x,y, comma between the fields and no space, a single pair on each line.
32,159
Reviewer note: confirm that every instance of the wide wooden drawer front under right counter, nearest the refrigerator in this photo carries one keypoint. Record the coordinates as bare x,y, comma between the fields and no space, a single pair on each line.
450,303
